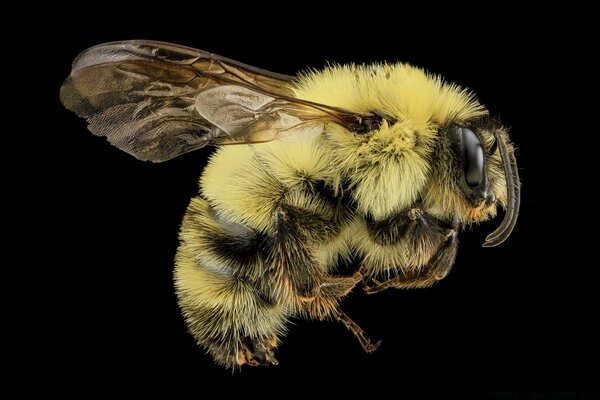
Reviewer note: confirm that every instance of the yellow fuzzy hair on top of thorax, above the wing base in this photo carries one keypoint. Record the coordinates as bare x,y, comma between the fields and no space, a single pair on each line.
398,90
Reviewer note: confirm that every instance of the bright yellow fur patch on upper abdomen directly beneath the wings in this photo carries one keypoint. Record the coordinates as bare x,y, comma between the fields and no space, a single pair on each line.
243,182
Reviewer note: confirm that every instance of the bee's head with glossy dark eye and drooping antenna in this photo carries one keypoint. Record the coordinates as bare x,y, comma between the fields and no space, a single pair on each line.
473,170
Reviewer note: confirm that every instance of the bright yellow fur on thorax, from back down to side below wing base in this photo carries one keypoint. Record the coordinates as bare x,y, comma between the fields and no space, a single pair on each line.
420,102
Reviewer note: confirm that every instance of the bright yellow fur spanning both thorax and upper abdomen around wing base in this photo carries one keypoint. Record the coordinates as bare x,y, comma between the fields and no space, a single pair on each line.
386,169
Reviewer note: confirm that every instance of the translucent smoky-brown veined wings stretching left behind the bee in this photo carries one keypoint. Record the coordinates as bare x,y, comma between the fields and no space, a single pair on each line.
158,100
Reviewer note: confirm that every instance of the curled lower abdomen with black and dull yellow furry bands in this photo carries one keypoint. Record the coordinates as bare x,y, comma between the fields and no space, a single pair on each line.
224,289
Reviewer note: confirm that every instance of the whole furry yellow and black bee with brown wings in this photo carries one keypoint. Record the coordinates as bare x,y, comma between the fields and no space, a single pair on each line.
380,165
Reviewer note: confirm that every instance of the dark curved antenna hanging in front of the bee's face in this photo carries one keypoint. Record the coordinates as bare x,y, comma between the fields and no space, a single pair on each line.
513,188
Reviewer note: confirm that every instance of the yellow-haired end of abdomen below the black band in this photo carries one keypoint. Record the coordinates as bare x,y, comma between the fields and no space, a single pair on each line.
223,312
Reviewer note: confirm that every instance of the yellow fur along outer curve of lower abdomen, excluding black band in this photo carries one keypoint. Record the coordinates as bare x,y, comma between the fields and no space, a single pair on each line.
219,307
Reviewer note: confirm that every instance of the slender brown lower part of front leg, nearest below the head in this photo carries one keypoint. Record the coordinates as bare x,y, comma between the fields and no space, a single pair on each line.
437,269
